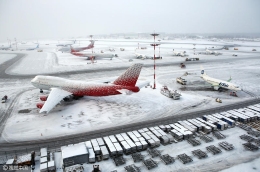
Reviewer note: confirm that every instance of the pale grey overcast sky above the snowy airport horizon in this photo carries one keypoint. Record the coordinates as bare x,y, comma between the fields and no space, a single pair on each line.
27,19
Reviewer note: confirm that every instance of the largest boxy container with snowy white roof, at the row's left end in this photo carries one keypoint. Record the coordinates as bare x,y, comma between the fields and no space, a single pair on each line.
75,154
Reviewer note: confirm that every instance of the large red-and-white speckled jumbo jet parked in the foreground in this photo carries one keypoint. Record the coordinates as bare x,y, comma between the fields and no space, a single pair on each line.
62,88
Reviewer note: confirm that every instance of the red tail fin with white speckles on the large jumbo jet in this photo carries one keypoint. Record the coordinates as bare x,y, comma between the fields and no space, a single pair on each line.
130,76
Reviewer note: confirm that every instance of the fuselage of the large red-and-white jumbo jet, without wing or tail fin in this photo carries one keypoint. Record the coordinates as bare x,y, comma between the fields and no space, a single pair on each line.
80,88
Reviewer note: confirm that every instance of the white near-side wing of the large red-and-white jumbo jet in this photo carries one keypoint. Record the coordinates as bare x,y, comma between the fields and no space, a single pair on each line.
55,96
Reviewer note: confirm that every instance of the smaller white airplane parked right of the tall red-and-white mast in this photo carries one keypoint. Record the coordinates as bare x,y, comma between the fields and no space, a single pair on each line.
218,84
